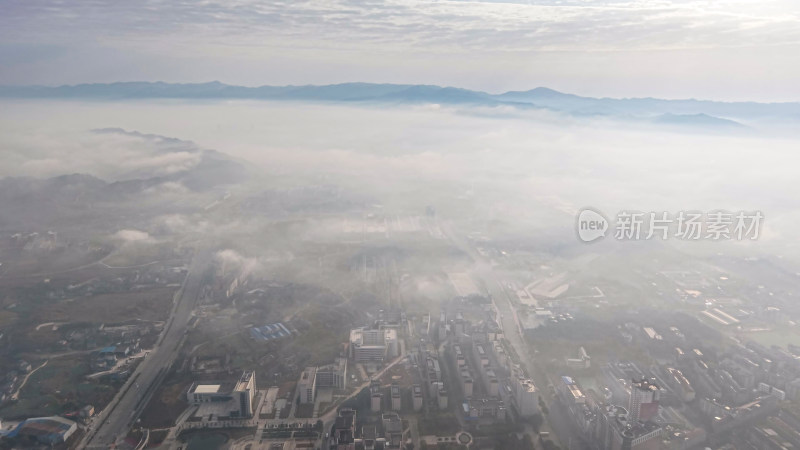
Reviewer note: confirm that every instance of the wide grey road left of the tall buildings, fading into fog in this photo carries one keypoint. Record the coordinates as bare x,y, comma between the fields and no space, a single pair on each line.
114,421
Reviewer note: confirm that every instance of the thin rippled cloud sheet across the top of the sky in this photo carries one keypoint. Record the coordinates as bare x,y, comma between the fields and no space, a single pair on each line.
541,25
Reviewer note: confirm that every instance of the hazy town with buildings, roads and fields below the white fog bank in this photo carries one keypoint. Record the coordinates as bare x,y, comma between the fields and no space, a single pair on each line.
318,316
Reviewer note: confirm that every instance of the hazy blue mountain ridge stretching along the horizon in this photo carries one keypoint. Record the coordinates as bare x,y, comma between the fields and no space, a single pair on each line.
656,110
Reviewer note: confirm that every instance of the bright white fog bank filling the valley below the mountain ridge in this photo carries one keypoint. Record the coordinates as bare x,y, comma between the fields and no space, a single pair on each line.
493,160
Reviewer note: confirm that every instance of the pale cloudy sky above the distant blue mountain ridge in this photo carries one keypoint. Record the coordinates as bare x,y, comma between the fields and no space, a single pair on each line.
710,49
